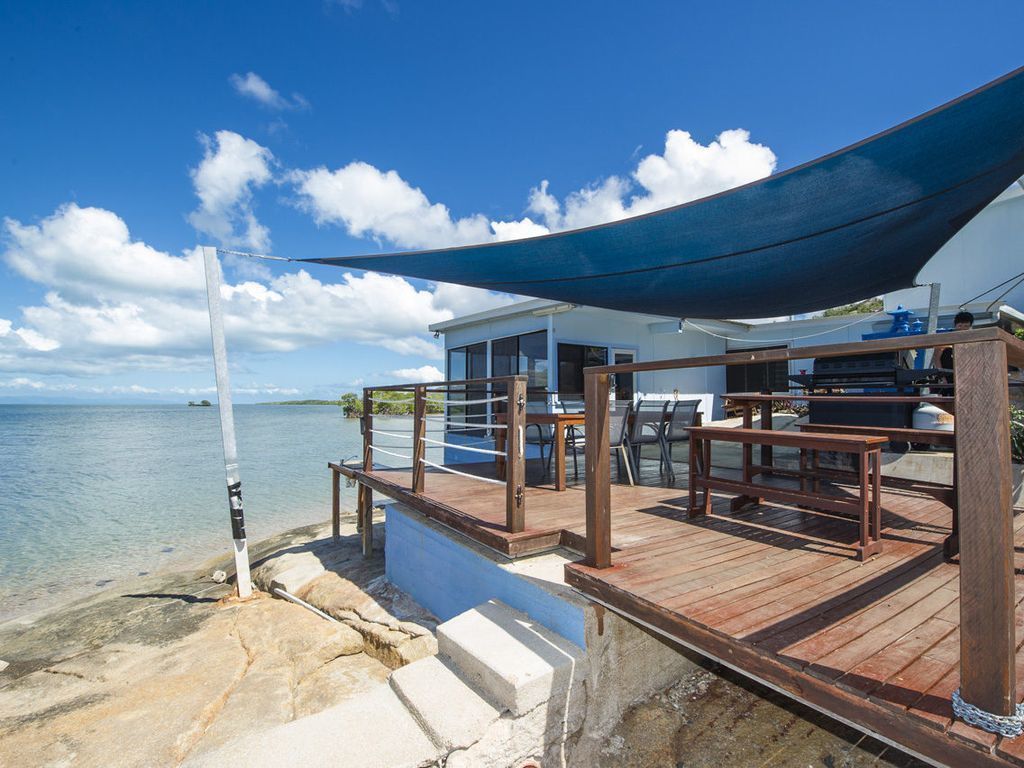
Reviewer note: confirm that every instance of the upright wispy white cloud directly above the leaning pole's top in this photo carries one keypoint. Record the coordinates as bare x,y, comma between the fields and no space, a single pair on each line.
232,168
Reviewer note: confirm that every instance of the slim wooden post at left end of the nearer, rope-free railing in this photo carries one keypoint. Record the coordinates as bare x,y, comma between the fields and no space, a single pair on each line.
599,472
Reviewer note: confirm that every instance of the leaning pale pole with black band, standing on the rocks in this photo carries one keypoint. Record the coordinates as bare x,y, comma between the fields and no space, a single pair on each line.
227,422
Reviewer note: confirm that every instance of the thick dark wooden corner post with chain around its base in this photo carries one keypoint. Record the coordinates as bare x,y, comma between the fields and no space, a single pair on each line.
987,537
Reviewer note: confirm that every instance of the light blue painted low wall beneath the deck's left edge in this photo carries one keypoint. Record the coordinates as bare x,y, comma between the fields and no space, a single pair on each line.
448,578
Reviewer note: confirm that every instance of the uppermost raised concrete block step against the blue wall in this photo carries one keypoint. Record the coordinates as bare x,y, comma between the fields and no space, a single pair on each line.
514,662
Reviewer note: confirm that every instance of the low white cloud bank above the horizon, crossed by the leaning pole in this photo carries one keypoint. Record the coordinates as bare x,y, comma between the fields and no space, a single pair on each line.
118,305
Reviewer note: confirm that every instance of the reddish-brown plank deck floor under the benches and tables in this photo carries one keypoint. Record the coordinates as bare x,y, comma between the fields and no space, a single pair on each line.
774,591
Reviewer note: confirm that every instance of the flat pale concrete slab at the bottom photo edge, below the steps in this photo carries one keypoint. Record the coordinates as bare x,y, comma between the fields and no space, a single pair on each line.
372,731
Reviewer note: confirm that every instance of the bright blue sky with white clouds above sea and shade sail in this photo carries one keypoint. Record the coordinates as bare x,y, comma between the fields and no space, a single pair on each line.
133,133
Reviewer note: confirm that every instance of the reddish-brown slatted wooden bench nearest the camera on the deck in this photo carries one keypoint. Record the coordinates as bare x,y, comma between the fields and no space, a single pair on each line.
868,449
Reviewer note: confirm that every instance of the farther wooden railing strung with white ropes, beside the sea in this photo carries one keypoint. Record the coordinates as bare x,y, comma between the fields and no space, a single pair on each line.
510,391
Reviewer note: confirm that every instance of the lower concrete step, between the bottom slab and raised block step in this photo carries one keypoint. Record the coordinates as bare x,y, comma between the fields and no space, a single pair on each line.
450,711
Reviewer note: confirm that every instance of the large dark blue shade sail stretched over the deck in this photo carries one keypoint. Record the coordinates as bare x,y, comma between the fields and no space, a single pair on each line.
856,224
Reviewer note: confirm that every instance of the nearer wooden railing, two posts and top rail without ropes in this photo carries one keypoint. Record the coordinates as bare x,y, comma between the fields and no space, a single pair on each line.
984,501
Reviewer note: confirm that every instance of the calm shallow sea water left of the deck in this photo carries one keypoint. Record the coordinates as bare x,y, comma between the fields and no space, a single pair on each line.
94,495
